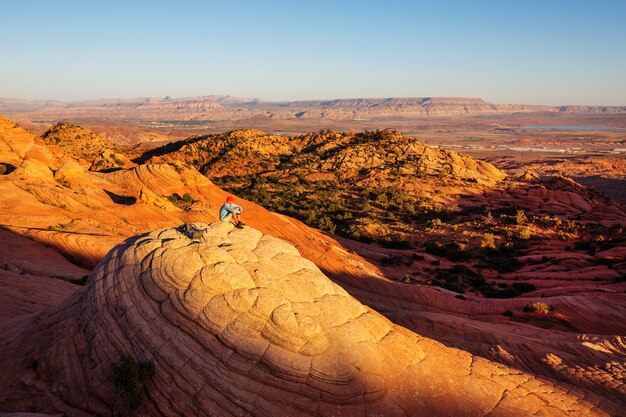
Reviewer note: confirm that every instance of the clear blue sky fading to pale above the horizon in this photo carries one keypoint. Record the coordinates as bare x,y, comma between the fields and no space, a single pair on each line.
536,52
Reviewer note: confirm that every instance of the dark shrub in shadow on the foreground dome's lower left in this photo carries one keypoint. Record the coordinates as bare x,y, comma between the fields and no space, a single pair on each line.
130,377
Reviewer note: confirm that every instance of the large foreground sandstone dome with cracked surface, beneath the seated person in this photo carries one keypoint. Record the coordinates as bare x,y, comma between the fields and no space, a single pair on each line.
238,323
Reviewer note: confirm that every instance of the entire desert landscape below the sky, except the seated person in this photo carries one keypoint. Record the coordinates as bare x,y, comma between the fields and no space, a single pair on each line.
400,257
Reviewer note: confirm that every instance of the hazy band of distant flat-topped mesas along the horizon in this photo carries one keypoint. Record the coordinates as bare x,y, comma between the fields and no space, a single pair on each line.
222,108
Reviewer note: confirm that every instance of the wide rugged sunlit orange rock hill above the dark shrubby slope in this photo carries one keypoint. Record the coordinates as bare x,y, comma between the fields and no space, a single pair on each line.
370,158
